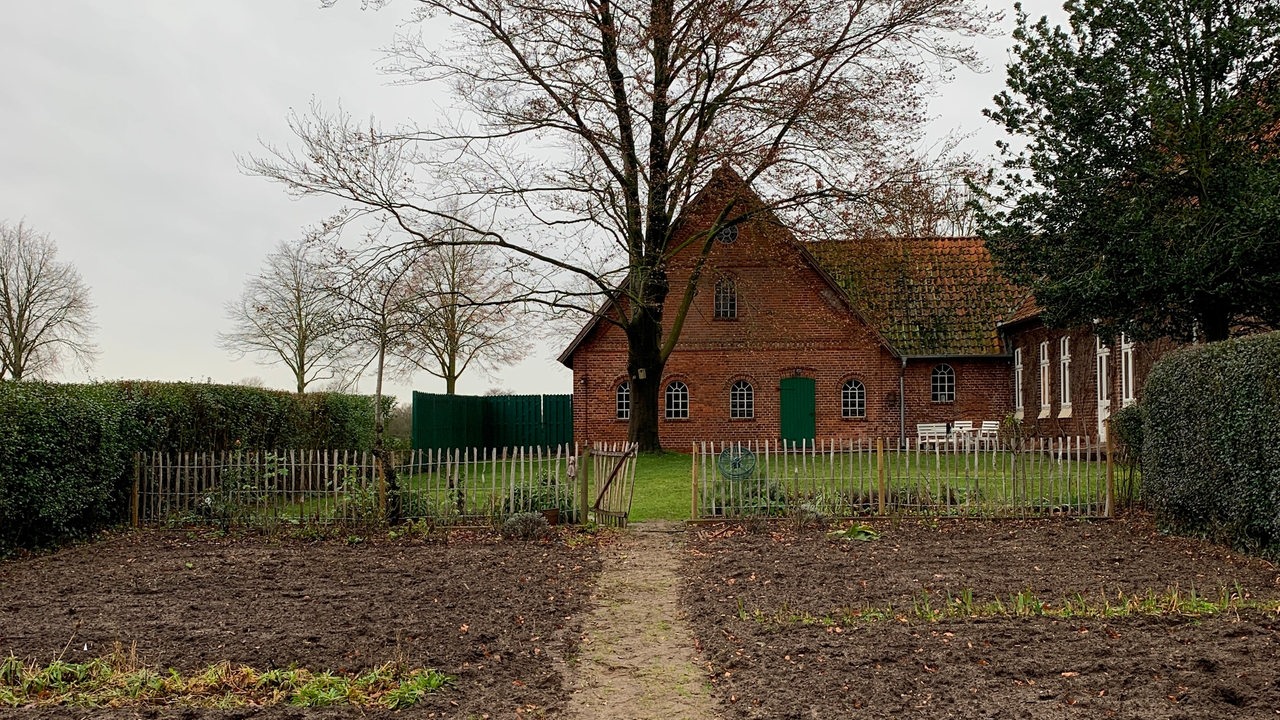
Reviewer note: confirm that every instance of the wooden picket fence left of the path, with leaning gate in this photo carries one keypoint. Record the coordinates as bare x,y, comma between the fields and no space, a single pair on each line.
442,487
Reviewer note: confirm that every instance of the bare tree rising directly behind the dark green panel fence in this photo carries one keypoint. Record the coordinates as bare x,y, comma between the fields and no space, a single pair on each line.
472,323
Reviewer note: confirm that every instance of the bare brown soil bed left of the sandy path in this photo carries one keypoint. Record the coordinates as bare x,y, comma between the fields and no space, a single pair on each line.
501,617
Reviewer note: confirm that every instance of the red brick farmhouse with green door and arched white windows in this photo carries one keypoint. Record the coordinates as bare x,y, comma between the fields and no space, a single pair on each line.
861,339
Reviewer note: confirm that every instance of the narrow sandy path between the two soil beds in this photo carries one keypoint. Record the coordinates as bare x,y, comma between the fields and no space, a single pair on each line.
638,659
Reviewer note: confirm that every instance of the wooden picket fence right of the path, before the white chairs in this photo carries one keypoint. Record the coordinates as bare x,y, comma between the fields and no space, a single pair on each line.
836,479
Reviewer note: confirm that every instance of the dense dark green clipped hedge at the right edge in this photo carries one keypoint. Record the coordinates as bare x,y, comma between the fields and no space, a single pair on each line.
1212,453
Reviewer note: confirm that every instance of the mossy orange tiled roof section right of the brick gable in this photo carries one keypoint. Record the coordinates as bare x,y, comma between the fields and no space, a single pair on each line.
927,297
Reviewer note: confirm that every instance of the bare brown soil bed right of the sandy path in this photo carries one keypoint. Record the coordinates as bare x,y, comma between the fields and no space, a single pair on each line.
738,585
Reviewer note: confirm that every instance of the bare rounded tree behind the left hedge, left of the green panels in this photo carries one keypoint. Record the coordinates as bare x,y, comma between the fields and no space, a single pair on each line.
286,315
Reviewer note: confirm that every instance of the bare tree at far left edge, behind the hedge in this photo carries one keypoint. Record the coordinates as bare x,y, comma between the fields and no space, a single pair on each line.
45,311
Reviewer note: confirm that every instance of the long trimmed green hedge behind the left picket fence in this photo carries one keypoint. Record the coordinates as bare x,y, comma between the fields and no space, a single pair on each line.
67,450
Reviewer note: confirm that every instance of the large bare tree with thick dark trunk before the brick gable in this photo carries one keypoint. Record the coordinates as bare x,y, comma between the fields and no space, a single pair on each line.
588,129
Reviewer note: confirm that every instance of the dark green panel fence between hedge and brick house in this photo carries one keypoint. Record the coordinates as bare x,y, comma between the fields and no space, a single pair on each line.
492,422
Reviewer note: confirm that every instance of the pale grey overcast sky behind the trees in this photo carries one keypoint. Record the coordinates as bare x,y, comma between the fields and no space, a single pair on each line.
121,125
